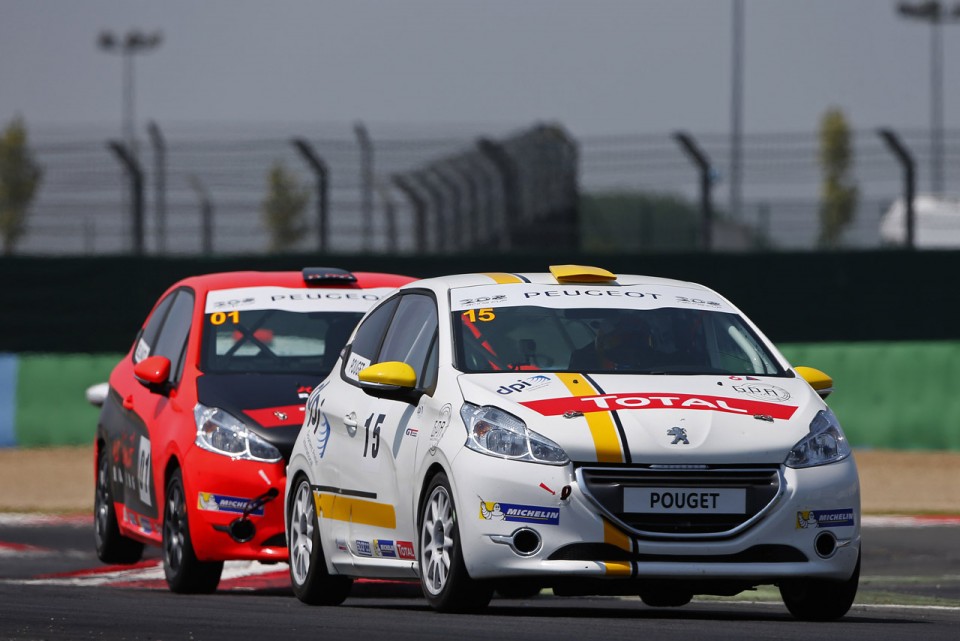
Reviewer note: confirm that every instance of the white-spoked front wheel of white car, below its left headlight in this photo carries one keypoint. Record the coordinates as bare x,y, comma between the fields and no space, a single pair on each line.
443,576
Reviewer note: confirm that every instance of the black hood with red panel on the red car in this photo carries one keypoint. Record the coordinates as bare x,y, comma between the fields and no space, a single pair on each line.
271,405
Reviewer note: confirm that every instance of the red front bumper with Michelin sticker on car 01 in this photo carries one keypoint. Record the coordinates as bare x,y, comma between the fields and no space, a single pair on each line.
218,488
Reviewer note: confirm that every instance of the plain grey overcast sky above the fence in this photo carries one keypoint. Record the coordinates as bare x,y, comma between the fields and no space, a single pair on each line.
597,66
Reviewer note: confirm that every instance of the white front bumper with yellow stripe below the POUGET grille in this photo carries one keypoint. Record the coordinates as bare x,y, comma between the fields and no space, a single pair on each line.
575,538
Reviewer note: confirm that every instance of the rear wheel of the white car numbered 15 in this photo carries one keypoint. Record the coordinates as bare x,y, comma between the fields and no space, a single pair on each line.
311,580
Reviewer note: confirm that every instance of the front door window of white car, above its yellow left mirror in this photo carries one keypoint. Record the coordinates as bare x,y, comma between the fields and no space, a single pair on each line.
411,334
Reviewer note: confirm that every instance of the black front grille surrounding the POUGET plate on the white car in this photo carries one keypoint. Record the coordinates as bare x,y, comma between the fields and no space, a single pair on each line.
761,485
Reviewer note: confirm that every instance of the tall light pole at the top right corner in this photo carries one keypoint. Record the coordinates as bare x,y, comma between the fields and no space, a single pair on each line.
936,14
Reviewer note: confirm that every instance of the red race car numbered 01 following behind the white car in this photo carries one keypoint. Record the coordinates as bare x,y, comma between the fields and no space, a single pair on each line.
202,413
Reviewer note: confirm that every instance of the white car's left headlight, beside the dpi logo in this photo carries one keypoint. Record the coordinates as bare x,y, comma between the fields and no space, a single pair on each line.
494,432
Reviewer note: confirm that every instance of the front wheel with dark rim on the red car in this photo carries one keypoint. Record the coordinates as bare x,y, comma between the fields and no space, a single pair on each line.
185,573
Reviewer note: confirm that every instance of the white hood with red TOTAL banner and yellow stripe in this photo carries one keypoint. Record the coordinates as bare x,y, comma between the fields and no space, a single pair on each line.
620,418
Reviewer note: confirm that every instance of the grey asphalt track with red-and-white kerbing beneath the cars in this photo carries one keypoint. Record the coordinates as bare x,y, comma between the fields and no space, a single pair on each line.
53,587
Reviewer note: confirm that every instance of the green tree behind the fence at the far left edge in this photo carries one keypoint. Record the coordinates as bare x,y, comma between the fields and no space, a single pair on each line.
19,178
